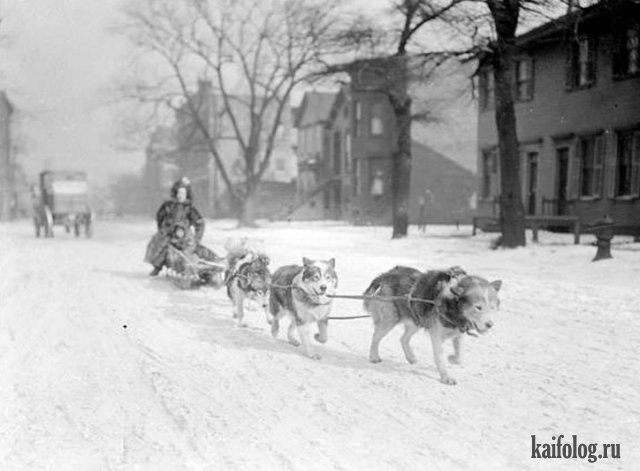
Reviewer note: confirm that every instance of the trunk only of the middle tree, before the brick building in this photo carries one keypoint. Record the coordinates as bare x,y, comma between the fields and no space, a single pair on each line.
401,162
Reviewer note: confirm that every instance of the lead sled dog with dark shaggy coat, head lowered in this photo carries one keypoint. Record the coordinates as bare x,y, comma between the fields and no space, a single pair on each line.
461,304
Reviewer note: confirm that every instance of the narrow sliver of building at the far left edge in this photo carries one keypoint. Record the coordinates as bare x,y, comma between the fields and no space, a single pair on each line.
8,194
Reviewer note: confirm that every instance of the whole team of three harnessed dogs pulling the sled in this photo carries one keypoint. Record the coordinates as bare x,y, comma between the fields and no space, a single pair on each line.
447,303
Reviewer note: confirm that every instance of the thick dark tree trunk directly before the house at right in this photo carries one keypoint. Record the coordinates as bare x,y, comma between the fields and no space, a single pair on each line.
511,207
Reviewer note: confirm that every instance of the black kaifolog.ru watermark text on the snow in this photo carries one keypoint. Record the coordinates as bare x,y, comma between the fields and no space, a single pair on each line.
562,447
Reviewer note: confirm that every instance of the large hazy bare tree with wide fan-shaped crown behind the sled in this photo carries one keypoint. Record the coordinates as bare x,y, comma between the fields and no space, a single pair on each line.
254,53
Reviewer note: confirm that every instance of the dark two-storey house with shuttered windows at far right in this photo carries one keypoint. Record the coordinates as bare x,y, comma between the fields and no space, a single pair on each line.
577,91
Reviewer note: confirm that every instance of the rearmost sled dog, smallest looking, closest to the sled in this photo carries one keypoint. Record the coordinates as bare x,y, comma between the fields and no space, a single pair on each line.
248,277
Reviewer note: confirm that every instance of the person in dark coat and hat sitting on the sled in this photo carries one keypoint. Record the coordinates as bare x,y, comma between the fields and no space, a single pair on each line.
178,210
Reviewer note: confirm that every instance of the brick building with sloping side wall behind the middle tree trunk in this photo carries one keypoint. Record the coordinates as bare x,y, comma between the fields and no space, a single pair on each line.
346,141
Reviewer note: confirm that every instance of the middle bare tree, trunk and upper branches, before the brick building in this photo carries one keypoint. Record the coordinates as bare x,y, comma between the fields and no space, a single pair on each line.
386,52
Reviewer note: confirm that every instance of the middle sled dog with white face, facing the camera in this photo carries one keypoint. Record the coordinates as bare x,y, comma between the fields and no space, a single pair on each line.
303,293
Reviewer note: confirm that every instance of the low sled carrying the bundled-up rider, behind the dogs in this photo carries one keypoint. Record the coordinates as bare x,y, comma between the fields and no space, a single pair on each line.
188,271
